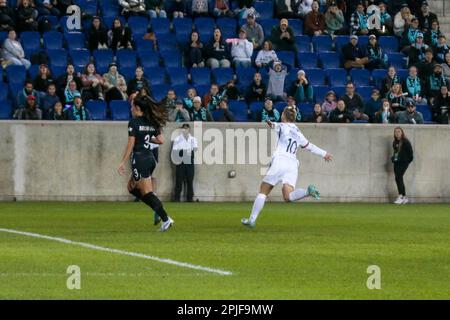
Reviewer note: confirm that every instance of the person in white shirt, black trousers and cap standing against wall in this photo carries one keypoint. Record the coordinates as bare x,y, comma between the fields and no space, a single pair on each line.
184,146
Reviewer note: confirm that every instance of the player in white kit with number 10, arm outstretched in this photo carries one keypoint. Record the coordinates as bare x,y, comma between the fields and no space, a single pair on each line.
284,165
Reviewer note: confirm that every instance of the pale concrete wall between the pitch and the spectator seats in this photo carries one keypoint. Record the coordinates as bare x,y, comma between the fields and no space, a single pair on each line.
77,161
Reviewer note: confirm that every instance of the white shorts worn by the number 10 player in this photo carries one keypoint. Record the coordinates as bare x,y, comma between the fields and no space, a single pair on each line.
282,169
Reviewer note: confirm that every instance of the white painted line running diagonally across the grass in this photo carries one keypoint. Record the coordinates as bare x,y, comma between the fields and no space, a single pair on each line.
117,251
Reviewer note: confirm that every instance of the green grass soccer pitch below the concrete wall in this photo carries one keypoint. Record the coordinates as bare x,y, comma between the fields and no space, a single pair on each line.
297,251
